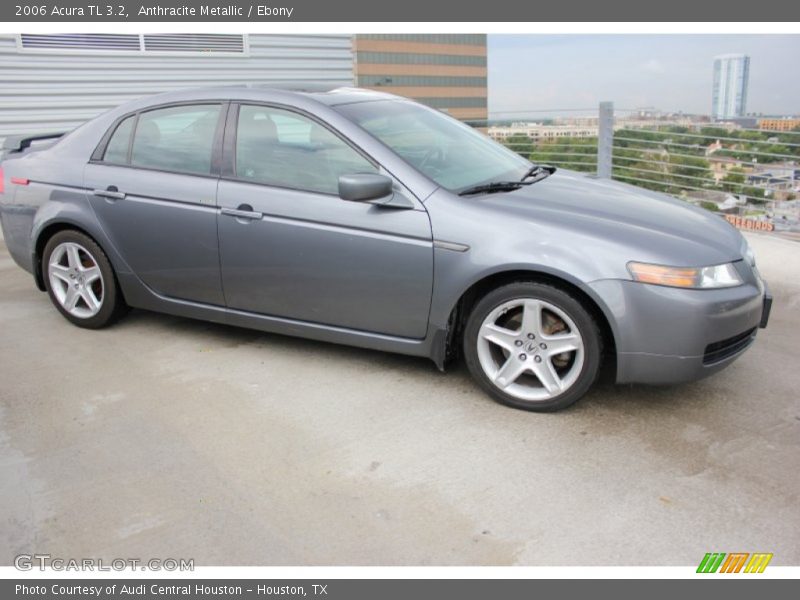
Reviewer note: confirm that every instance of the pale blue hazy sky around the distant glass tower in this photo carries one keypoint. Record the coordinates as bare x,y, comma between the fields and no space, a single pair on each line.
669,72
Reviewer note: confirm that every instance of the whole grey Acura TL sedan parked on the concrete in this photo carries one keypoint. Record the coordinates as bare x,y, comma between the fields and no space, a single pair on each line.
362,218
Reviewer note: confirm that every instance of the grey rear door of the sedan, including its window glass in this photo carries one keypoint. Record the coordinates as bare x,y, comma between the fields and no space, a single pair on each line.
153,187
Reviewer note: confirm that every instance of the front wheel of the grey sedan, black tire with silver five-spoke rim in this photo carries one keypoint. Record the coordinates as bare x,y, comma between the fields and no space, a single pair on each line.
532,346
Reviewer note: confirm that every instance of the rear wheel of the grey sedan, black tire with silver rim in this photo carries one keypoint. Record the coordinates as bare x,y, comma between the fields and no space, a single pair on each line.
80,280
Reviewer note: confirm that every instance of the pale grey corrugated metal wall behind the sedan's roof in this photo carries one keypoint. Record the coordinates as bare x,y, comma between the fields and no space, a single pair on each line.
47,89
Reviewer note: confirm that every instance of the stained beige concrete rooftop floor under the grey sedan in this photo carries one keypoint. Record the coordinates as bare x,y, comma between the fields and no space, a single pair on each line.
165,437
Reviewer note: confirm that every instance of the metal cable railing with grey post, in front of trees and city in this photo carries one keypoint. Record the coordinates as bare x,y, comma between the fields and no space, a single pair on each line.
743,171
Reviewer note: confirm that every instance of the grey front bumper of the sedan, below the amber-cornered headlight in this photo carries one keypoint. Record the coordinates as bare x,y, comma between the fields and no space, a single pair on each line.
669,335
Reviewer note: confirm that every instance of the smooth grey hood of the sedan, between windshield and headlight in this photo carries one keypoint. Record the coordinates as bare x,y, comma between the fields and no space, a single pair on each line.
659,227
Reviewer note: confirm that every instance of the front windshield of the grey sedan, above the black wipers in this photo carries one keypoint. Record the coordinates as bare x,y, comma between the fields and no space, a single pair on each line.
453,154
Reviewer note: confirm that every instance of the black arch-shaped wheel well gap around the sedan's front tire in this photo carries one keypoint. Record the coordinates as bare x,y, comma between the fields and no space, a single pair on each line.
463,306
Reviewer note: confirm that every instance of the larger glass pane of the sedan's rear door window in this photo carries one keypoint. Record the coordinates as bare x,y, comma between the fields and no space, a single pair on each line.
179,138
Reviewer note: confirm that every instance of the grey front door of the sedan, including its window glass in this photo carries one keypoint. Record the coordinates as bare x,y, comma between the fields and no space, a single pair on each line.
290,247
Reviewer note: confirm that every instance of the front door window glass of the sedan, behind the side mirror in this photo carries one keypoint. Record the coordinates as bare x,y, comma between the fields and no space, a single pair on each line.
284,149
